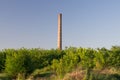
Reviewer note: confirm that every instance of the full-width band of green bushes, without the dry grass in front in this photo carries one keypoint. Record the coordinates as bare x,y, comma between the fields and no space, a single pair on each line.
26,61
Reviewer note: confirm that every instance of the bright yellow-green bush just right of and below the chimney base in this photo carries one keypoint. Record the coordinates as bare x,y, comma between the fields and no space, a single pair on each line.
66,63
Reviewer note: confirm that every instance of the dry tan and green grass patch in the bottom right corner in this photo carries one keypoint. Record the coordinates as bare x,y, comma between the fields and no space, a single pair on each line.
106,74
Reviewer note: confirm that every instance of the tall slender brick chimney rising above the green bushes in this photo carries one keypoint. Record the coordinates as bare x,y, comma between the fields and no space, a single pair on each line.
59,44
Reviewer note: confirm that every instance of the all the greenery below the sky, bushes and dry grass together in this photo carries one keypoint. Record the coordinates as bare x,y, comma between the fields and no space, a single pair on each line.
69,64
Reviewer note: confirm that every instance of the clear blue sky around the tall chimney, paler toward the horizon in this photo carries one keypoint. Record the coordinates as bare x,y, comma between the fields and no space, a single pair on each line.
33,23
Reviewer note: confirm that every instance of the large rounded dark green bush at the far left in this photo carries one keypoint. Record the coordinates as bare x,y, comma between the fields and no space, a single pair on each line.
17,62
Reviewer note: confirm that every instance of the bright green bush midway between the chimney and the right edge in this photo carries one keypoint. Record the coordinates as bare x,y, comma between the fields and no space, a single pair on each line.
87,57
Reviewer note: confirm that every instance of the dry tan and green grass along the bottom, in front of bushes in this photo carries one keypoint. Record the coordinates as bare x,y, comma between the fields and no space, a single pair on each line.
47,74
